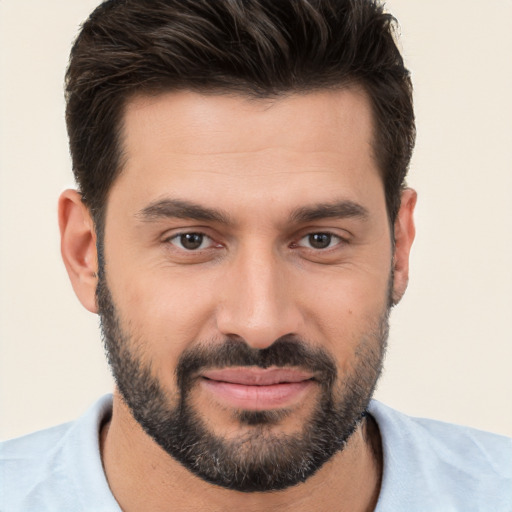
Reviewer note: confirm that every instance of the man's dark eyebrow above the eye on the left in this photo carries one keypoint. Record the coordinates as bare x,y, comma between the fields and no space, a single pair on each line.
180,209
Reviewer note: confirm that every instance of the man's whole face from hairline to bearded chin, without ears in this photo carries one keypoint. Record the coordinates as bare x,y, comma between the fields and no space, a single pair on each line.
247,279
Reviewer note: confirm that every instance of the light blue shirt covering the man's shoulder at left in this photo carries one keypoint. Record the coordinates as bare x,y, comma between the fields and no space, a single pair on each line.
55,469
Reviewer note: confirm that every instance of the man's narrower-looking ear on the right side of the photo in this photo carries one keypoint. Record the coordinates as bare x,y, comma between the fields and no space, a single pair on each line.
404,236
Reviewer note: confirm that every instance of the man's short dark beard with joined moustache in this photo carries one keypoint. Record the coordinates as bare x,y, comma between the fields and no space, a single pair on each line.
259,459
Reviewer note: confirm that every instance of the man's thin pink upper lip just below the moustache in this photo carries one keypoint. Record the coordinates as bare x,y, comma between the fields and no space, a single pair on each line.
253,376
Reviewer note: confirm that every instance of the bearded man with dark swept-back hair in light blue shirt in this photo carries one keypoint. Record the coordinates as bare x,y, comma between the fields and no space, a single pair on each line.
242,227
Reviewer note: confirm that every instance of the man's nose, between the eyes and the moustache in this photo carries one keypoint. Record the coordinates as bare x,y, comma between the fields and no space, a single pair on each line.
258,302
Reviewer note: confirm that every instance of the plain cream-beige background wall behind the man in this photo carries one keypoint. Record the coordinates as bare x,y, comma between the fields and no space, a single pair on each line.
450,350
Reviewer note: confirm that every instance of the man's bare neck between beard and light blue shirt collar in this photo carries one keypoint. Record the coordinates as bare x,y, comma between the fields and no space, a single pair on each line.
143,477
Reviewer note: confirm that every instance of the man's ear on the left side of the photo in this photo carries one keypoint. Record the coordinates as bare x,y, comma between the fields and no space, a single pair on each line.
78,247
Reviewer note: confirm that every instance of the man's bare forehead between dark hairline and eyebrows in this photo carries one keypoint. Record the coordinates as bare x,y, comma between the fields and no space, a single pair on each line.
231,148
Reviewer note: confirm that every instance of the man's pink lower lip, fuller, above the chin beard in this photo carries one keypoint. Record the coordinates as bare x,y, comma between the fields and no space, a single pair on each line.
257,398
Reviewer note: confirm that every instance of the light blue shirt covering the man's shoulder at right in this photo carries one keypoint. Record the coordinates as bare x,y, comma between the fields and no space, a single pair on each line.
431,464
